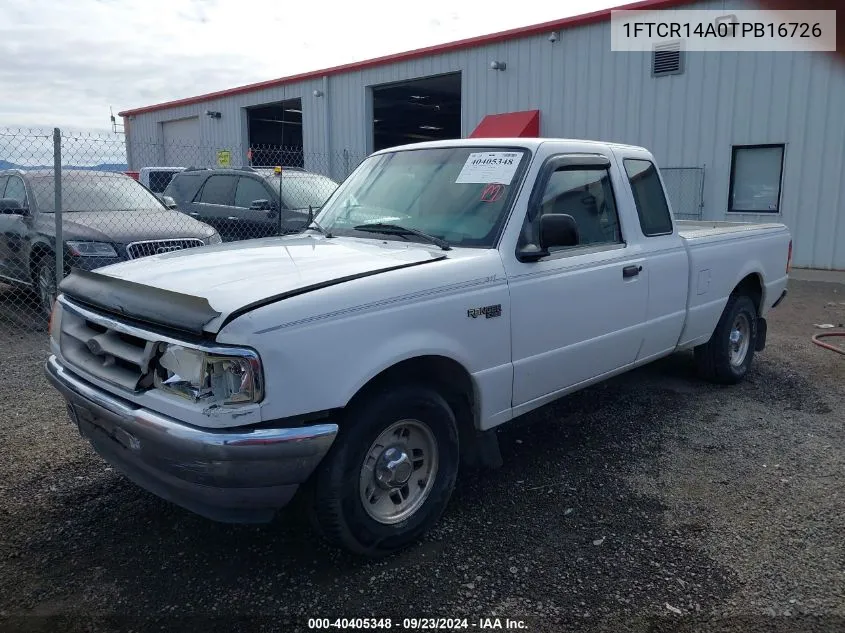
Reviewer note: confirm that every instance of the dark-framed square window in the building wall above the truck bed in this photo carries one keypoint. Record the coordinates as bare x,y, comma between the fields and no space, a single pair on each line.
756,172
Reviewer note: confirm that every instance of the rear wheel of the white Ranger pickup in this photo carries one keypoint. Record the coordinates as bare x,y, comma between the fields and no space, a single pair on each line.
726,357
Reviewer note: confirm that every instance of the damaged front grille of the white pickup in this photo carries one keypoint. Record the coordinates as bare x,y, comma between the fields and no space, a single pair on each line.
116,357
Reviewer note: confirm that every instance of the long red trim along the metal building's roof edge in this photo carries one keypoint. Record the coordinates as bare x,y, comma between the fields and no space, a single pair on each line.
439,49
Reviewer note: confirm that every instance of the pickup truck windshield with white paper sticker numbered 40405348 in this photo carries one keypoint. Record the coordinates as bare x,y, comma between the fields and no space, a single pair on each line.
458,194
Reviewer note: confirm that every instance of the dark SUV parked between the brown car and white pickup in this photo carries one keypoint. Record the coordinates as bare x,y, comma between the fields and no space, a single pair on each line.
248,203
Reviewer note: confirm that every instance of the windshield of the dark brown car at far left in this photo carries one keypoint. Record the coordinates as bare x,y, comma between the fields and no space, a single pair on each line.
94,192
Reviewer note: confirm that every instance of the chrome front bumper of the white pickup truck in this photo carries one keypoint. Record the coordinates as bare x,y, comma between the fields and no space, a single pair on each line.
231,475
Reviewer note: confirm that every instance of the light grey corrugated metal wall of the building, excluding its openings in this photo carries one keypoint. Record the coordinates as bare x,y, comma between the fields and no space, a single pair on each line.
584,90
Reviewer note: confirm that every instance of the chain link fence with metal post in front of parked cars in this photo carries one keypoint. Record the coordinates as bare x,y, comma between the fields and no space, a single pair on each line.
77,190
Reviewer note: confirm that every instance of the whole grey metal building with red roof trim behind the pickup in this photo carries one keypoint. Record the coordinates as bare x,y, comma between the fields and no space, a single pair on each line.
740,136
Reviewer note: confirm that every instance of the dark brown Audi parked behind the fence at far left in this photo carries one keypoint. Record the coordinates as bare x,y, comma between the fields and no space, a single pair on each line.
107,217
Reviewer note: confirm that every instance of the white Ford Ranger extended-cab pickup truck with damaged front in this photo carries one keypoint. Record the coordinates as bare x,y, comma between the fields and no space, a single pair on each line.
444,289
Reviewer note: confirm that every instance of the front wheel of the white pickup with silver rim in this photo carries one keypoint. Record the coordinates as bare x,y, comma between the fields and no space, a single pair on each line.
390,472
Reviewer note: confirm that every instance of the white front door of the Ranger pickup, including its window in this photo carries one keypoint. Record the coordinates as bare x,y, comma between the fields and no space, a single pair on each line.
578,312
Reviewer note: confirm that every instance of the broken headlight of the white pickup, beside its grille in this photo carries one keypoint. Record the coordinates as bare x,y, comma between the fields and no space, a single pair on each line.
210,378
